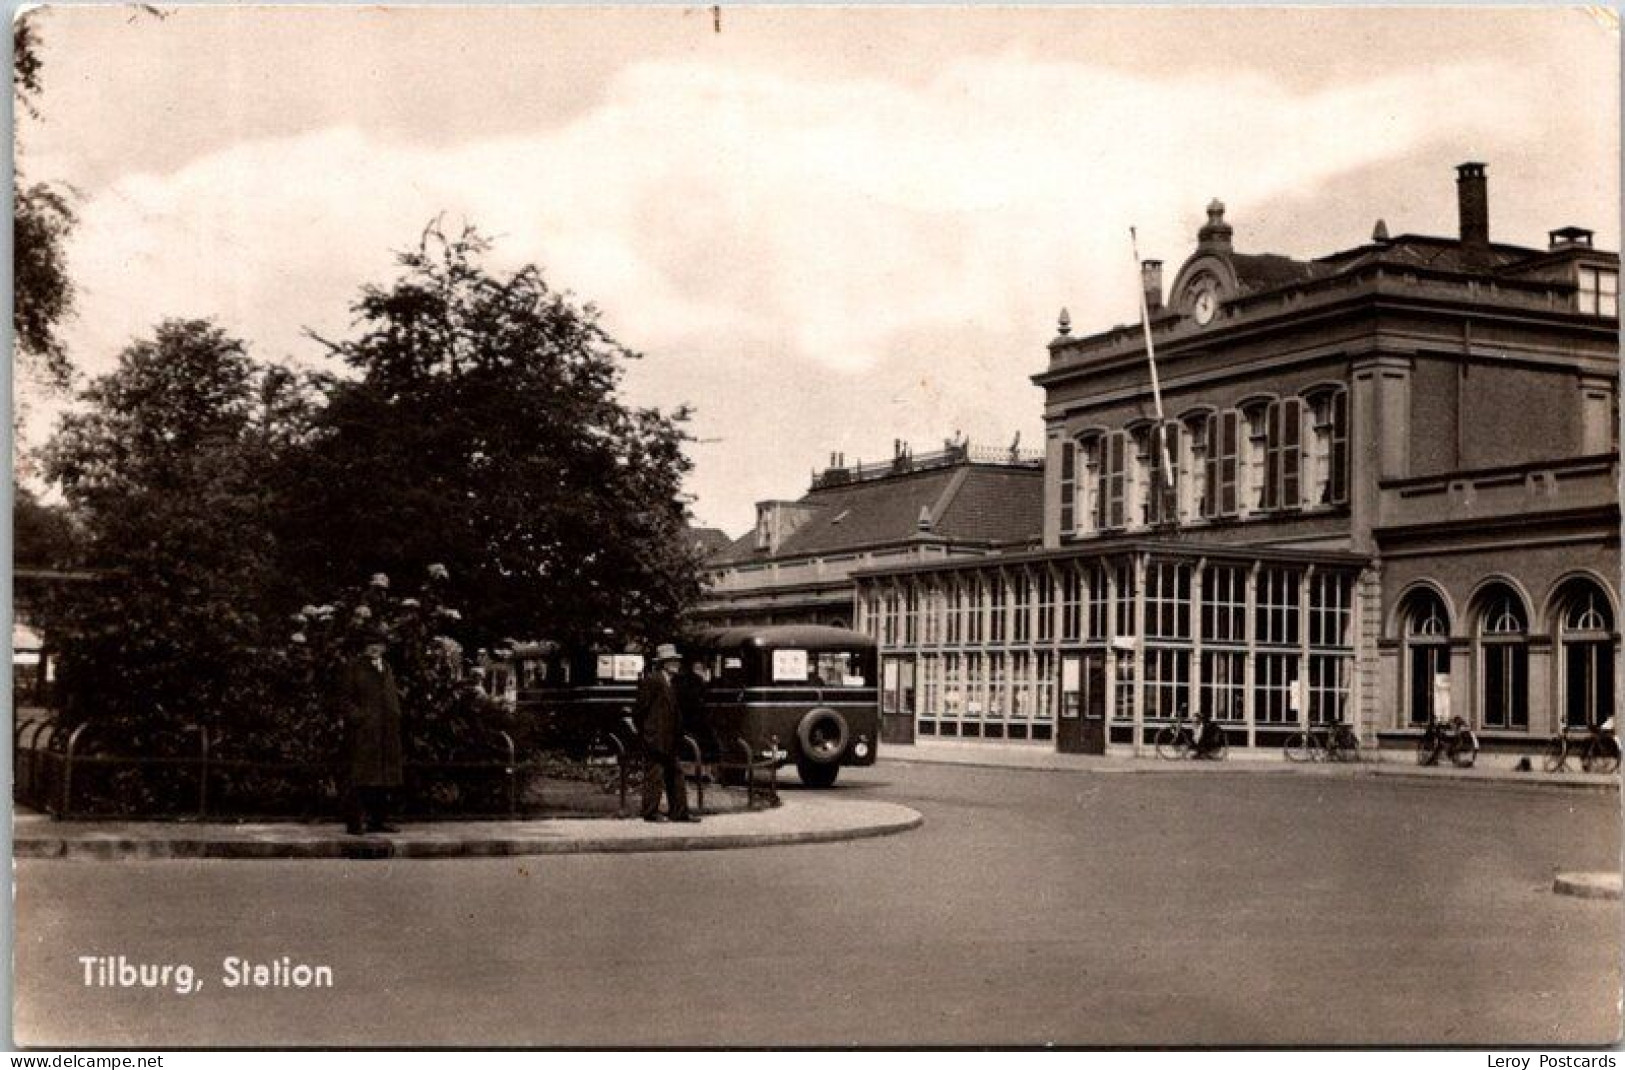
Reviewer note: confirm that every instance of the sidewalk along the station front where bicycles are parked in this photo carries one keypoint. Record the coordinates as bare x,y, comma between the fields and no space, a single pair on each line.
1393,765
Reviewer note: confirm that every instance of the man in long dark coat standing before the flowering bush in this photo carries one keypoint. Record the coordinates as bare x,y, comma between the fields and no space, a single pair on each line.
373,736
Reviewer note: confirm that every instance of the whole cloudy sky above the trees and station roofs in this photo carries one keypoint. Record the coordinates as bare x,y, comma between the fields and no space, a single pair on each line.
823,228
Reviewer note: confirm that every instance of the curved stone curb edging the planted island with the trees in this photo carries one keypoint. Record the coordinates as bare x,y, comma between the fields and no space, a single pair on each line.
547,840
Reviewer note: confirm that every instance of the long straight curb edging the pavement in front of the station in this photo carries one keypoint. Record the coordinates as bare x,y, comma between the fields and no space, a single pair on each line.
1272,768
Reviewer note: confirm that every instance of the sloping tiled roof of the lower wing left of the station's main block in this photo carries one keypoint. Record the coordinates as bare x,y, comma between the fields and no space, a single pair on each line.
969,503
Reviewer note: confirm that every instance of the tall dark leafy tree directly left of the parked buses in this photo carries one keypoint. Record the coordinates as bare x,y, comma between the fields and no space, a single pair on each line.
482,428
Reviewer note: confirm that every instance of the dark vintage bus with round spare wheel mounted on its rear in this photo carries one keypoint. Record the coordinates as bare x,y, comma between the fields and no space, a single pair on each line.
808,687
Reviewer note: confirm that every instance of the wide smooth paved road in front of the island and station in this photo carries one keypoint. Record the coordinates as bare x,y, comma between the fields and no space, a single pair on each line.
1031,908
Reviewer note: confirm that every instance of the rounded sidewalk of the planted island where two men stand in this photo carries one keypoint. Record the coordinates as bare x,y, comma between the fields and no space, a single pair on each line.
804,819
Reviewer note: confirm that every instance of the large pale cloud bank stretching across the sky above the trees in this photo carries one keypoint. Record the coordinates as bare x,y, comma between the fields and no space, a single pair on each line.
817,264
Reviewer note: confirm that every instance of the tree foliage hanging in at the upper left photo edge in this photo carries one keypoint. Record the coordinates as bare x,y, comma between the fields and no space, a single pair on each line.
43,219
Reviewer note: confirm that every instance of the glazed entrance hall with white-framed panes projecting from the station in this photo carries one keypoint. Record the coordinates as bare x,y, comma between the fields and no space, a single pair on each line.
1094,651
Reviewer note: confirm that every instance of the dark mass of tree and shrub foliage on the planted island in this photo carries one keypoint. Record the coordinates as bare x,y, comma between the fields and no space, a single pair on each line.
228,507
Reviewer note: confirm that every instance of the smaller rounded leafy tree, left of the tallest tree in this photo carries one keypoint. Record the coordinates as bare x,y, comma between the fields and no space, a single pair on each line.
165,472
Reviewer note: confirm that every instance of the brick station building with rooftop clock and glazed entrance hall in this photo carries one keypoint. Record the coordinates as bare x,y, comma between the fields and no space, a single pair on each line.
1390,492
